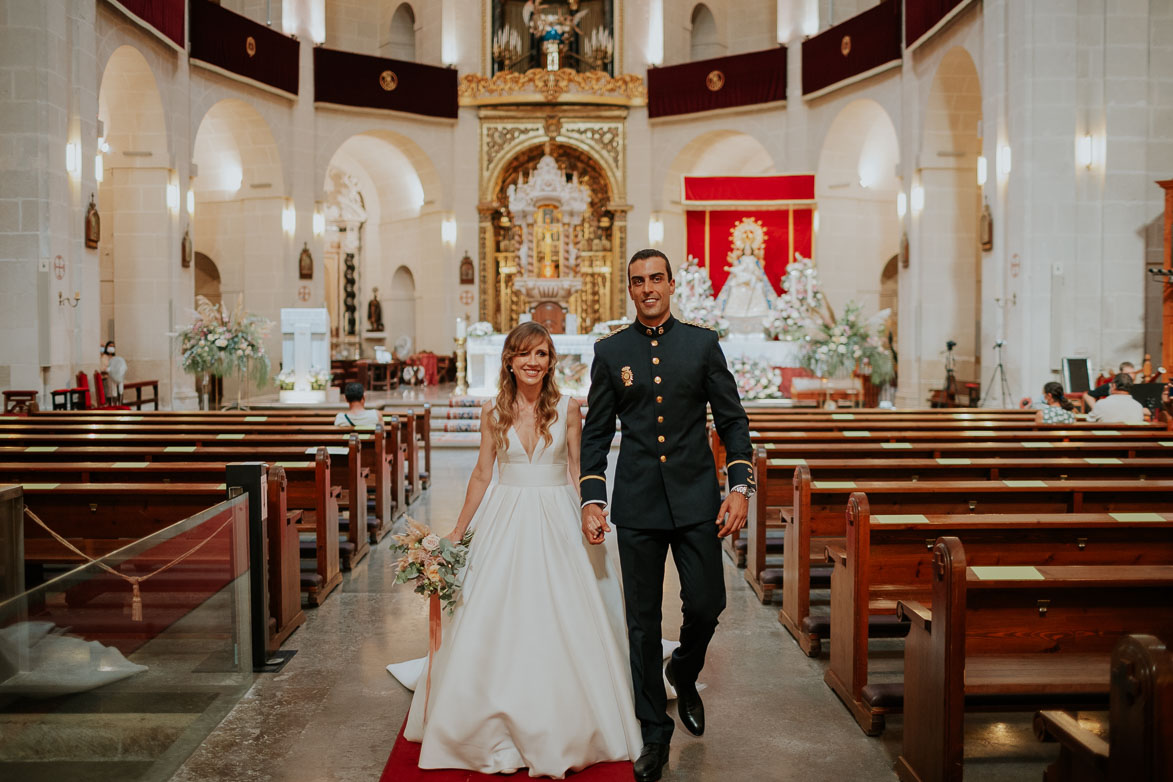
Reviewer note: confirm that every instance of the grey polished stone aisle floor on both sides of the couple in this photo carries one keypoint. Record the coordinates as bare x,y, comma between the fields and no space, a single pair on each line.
334,712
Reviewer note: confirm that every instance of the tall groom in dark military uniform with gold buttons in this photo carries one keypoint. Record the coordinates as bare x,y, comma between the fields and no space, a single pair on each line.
657,376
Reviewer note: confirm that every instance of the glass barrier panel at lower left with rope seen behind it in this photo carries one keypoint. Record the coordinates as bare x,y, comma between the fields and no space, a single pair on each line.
119,670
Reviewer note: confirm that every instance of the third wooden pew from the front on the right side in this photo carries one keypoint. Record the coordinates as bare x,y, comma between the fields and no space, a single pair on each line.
889,559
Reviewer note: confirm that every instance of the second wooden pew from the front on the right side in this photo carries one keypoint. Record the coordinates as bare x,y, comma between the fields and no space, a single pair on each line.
1018,640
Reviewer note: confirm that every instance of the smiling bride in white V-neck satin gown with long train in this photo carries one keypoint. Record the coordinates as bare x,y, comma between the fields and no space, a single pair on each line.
533,670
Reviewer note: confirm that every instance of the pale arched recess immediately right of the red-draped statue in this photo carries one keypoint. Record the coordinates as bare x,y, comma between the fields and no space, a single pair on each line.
857,189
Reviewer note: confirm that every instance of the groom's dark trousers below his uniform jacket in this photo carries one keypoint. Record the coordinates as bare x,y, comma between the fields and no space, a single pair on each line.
697,554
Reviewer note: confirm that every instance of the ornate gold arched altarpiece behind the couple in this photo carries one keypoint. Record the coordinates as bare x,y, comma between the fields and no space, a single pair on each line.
588,145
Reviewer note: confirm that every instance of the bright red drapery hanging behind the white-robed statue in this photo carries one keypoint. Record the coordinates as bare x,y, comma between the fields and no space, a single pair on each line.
783,207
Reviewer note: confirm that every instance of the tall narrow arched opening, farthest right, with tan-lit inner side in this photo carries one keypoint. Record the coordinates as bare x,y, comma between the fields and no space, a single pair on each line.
950,278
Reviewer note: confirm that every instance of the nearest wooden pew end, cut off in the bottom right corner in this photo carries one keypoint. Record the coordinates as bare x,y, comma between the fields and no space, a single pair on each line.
1141,722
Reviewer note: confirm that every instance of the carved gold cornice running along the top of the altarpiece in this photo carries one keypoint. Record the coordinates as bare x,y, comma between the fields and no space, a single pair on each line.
538,85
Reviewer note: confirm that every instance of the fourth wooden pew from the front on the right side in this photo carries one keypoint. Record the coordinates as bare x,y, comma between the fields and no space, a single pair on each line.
819,518
